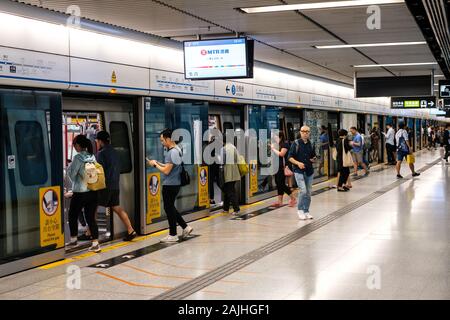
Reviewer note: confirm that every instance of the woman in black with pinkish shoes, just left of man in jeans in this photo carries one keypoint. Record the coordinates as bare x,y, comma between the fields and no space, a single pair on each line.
283,171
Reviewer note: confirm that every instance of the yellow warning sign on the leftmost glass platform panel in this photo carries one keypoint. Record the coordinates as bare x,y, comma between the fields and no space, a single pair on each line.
50,217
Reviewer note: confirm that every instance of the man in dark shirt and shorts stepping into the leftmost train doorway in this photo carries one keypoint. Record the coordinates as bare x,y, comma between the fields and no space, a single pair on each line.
110,197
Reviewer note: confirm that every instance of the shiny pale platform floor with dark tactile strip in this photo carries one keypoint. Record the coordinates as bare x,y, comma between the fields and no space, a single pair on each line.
385,239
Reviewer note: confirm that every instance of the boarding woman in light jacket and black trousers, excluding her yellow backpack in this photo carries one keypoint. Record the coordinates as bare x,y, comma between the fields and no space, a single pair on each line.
82,198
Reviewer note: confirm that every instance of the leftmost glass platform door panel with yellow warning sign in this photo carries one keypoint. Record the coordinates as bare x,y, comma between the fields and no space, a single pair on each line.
30,146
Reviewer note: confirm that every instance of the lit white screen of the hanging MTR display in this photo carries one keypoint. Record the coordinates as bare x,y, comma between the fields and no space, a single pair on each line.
216,59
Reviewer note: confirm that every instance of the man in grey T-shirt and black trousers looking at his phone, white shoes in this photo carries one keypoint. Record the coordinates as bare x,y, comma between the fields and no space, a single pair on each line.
171,169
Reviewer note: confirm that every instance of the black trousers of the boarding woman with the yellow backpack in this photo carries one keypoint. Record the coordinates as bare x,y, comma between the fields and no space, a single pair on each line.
88,202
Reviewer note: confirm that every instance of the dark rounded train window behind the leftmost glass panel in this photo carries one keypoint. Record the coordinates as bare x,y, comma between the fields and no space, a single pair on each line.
31,153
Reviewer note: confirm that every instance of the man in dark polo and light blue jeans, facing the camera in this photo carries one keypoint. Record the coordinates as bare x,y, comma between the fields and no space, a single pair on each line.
302,155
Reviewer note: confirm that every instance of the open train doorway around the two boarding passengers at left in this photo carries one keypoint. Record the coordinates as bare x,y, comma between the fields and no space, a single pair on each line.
88,116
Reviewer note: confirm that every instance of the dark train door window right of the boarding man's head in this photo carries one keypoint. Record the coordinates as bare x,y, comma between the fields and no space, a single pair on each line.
120,141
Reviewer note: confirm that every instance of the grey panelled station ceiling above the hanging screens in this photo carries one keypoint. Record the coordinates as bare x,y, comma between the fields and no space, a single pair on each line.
283,38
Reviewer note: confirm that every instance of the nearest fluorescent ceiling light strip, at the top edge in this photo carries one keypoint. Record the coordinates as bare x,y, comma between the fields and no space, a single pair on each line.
318,5
